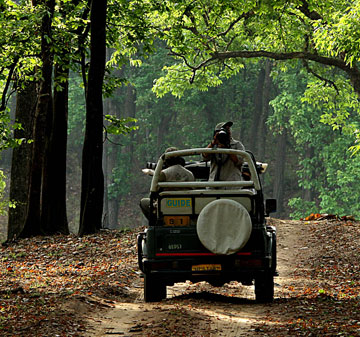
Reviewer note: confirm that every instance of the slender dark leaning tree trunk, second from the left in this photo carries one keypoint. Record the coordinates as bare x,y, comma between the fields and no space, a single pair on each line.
42,115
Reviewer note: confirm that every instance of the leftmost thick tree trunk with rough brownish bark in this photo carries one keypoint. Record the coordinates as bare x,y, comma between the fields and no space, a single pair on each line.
21,159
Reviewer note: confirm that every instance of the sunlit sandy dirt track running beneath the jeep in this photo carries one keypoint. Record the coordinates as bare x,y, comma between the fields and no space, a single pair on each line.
202,310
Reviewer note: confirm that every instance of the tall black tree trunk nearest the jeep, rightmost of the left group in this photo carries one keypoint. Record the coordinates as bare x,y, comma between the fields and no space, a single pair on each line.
92,180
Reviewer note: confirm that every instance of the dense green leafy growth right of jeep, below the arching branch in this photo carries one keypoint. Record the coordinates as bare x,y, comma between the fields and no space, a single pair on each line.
321,122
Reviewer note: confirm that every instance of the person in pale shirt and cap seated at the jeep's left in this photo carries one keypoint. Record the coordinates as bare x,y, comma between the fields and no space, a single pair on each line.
174,171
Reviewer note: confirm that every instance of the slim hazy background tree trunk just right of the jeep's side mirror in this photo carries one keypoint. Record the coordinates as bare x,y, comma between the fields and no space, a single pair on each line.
280,172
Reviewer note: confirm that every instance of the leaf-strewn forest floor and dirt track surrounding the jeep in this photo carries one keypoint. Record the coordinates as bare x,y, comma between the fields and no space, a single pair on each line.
91,286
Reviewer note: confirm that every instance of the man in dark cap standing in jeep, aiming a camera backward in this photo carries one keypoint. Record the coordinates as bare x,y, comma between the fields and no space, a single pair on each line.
224,167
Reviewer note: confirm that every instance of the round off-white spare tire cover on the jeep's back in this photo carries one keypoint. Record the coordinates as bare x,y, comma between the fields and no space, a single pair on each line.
224,226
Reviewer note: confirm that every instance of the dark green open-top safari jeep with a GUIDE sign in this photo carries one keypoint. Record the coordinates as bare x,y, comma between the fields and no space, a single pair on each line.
212,231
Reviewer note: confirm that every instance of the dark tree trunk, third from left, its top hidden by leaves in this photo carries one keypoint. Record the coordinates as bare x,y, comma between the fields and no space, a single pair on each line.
53,216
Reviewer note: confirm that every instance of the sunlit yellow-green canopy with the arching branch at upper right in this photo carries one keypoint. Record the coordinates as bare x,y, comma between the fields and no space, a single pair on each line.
210,41
